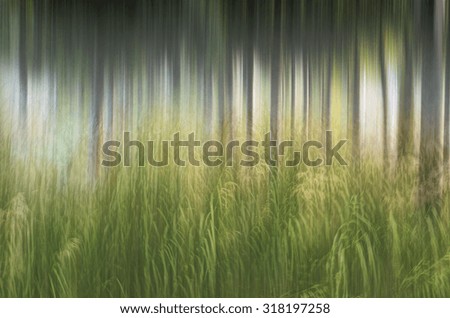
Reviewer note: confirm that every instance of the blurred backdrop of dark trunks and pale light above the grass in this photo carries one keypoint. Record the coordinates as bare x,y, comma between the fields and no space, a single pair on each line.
372,71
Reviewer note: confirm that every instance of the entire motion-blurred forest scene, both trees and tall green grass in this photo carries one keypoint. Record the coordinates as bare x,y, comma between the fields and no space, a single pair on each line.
75,75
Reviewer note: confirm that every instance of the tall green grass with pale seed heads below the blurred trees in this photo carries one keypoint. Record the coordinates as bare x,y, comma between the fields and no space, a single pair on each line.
219,232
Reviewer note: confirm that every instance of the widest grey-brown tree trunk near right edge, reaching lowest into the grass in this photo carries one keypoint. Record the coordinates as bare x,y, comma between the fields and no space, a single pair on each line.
430,169
